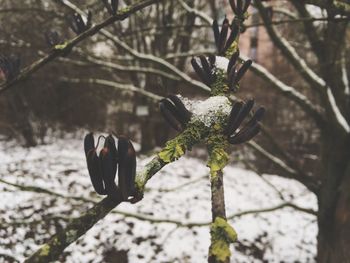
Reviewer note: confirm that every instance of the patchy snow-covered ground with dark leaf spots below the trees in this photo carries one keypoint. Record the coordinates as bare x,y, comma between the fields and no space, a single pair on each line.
179,192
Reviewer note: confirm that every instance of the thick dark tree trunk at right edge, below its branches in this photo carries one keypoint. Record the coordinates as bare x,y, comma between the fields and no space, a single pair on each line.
334,201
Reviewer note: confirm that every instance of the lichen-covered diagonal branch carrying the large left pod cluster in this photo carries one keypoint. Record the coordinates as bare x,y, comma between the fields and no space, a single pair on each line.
51,250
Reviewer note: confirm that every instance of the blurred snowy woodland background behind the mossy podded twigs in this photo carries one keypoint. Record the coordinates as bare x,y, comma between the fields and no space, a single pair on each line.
107,84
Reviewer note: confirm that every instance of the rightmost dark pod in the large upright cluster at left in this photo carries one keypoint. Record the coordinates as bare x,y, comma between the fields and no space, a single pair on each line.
127,167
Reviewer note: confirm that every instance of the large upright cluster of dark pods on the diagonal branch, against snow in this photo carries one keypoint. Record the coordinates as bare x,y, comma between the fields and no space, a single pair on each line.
111,159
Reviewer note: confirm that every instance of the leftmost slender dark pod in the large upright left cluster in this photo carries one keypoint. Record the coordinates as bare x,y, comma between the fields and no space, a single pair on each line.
93,164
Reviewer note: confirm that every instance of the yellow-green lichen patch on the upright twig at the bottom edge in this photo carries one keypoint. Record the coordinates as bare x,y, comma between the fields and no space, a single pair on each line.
222,235
